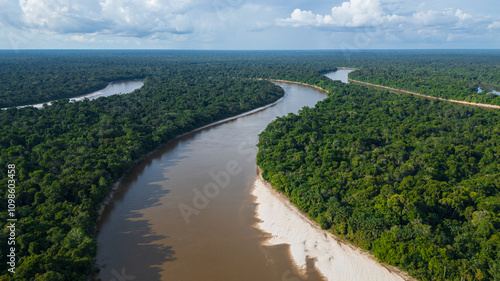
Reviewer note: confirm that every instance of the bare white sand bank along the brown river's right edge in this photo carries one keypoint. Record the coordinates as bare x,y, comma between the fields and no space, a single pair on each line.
333,258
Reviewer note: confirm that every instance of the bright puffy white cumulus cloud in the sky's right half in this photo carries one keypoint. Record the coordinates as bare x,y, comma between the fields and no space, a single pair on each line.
445,24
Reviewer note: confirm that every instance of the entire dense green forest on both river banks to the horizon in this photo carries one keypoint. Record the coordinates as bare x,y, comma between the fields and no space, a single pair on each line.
441,164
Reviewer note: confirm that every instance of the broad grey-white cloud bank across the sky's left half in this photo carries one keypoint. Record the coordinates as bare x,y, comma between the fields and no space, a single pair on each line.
154,20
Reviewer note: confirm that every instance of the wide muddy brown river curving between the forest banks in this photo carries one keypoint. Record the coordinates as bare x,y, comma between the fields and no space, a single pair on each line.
186,213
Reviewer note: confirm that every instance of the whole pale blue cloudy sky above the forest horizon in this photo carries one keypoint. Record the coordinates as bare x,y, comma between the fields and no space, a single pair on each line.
249,24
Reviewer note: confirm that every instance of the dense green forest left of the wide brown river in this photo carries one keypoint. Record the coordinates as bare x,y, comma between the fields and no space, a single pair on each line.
67,156
